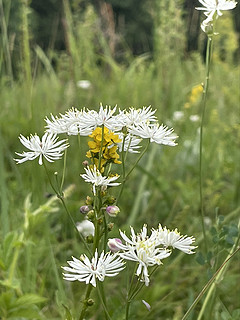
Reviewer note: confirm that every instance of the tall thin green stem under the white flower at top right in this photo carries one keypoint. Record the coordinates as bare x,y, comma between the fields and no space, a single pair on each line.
205,91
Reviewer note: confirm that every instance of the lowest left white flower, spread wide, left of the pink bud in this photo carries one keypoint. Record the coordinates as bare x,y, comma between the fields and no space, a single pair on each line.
88,271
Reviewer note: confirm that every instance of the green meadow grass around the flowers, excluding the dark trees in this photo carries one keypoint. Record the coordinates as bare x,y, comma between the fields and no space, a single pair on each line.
37,237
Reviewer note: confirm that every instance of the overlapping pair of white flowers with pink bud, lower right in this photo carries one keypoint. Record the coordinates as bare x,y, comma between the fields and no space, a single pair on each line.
150,250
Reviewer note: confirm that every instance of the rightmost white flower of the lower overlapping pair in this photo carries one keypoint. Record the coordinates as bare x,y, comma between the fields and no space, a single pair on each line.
174,239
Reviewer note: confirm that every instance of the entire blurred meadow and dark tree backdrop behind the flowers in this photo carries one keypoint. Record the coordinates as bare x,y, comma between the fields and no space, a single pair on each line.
56,54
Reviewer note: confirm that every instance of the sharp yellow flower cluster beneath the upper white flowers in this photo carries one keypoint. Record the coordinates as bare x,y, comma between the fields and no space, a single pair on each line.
103,142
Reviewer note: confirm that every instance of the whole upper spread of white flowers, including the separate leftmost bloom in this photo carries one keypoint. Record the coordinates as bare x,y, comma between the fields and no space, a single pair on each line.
131,126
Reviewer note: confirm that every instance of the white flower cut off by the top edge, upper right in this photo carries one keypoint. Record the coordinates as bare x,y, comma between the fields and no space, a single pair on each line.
212,7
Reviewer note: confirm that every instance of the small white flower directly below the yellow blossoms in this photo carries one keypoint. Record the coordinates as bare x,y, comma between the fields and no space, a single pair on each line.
95,177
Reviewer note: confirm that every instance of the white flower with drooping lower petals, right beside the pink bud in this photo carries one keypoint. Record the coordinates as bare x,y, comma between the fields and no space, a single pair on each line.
144,250
